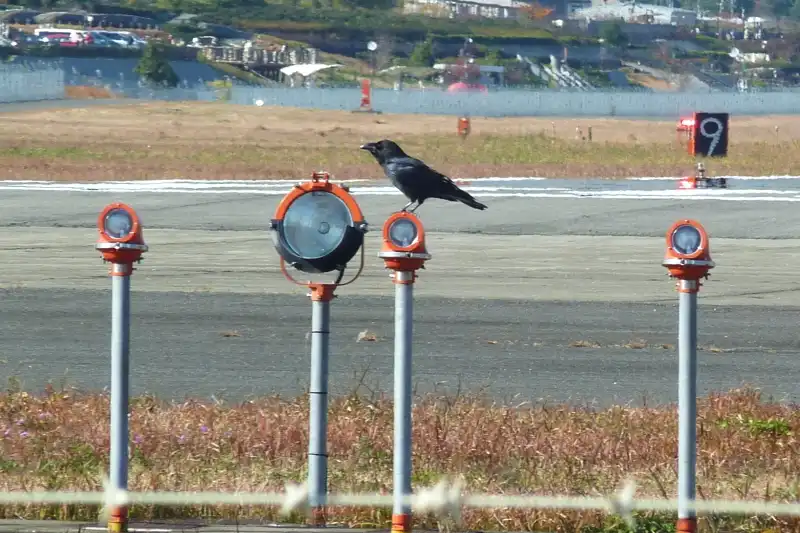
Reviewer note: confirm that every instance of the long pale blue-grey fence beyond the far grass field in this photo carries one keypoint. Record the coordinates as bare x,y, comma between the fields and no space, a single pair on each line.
29,81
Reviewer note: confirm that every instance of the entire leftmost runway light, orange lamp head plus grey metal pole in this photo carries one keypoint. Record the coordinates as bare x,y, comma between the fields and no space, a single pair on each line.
121,243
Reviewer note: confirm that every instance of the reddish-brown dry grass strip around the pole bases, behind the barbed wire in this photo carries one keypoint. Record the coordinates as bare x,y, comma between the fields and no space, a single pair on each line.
748,450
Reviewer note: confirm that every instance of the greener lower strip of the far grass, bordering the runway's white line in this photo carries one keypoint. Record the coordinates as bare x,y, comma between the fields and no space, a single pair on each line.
478,156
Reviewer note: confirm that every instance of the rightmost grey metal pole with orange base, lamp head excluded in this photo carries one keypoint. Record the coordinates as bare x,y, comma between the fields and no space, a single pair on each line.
687,403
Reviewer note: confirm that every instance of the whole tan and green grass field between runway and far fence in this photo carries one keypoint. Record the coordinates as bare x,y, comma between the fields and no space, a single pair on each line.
163,140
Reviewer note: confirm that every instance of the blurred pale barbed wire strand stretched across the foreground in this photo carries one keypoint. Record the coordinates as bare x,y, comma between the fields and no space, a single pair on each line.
446,499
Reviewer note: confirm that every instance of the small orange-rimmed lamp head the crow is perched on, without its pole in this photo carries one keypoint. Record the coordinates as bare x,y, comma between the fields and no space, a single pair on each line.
403,248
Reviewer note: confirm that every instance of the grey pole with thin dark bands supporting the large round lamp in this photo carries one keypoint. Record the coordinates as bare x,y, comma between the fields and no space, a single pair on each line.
318,416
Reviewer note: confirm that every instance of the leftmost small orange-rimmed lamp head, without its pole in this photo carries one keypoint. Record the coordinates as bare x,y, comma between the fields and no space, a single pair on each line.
121,240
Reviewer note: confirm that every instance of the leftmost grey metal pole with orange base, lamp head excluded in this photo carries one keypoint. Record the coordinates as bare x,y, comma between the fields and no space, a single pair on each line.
120,372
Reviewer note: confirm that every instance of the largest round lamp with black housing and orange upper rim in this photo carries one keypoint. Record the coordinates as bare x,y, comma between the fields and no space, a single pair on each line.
318,227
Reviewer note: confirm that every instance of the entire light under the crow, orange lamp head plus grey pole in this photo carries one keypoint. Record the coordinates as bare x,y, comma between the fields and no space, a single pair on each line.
404,252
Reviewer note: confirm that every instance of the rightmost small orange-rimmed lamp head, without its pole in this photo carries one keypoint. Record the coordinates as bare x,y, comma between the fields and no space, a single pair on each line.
688,255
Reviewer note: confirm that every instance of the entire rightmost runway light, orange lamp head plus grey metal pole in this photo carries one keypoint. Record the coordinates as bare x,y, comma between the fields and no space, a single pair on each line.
688,259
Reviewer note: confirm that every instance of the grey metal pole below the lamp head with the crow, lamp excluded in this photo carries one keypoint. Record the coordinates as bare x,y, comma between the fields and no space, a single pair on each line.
403,309
